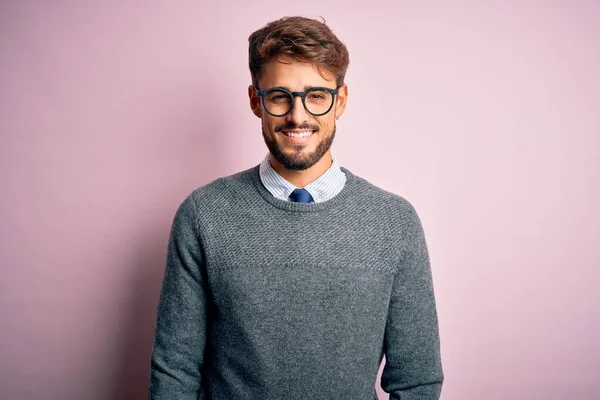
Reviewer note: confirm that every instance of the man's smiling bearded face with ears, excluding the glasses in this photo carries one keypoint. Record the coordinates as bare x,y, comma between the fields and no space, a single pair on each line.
297,153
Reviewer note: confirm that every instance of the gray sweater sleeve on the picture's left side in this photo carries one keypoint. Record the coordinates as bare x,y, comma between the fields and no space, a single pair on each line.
180,334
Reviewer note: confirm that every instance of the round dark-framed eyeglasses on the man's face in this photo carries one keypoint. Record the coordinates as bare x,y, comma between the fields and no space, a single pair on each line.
279,101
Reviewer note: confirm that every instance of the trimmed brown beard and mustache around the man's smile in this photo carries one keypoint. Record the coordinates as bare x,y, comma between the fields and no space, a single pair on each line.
299,160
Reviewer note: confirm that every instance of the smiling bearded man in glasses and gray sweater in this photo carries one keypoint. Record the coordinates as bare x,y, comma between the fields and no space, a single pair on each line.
292,279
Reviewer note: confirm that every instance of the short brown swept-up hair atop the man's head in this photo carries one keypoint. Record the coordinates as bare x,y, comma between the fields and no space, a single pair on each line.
298,39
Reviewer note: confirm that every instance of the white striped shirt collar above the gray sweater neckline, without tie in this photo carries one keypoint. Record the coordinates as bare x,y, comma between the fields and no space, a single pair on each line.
324,188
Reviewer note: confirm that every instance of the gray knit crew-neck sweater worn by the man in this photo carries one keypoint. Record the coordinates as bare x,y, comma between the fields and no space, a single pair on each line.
268,299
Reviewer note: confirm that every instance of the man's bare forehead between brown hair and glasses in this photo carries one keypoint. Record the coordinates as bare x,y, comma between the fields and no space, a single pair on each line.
294,75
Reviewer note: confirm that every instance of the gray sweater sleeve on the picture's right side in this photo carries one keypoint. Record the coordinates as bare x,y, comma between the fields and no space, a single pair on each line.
413,368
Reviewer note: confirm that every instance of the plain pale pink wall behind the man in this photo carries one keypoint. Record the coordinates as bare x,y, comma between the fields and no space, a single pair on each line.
486,117
